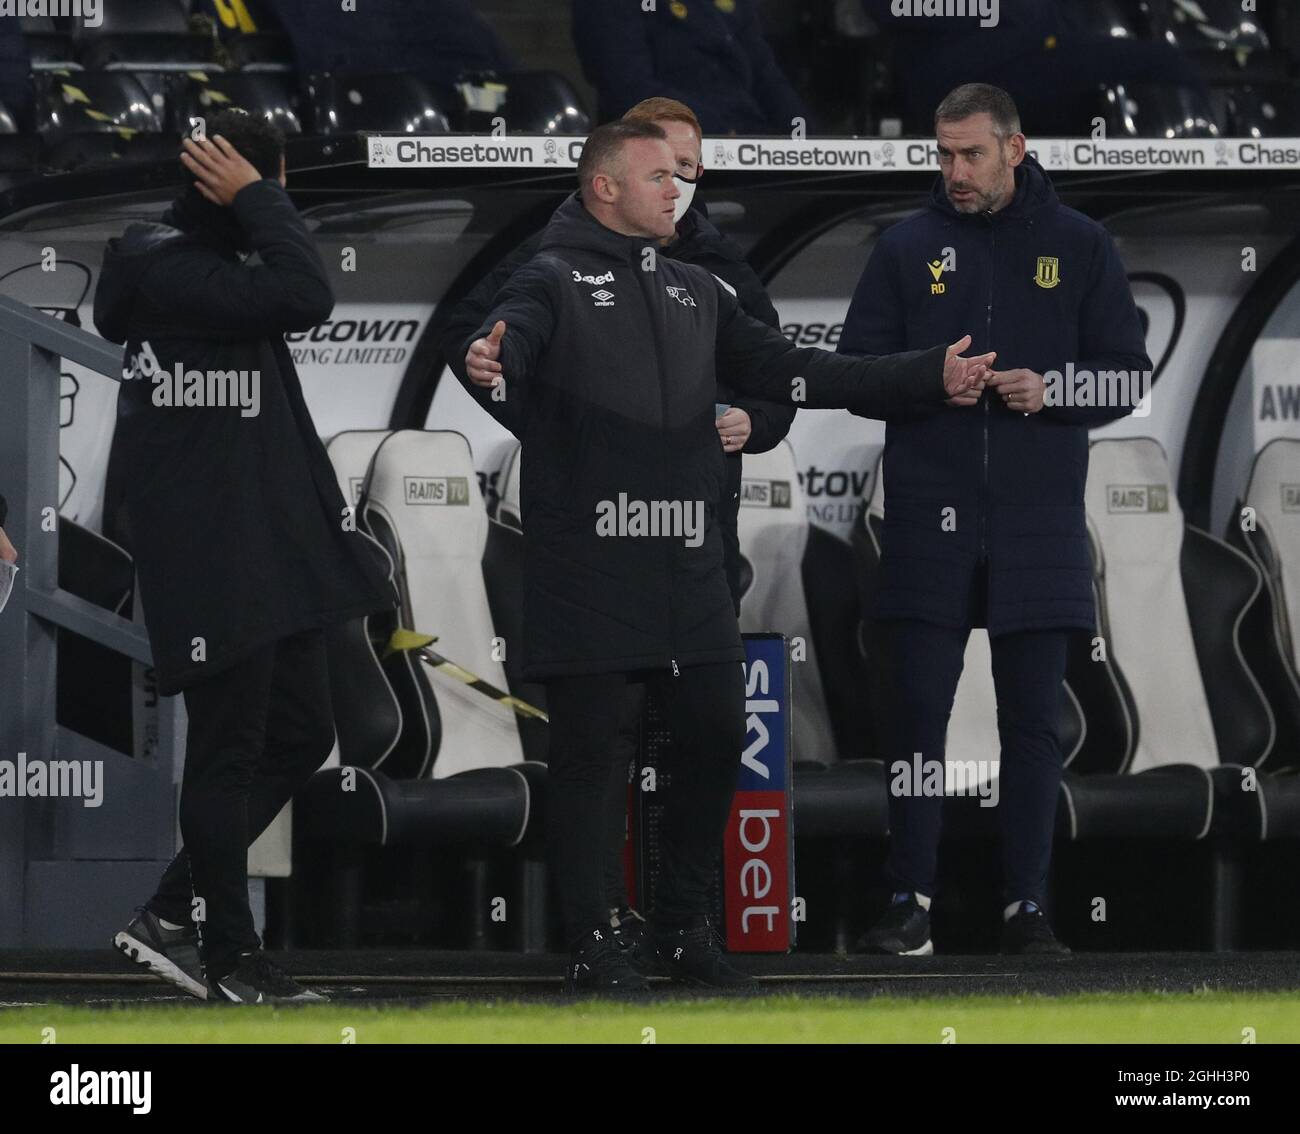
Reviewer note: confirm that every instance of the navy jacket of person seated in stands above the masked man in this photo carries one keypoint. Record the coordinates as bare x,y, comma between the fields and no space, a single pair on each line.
707,54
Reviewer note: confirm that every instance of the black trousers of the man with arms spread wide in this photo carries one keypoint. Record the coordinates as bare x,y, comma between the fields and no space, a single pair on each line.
705,711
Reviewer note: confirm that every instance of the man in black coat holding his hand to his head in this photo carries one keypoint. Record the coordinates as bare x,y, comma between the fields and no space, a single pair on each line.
241,538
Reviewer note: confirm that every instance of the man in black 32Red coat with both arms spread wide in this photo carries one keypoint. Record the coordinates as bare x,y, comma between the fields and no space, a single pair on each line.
614,353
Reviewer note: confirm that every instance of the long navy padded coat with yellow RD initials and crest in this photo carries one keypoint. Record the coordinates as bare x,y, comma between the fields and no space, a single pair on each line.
1016,482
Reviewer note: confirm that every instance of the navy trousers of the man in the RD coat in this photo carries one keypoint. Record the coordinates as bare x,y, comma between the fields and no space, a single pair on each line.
924,664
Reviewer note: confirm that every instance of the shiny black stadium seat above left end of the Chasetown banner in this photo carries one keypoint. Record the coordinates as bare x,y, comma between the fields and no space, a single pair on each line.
388,101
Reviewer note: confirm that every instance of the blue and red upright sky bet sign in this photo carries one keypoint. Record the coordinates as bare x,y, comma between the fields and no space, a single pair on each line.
759,852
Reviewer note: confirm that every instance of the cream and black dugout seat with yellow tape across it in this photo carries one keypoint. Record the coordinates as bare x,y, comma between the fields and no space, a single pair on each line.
426,761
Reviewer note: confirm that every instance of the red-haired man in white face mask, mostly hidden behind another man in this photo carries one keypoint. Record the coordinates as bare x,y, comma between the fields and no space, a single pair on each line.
748,425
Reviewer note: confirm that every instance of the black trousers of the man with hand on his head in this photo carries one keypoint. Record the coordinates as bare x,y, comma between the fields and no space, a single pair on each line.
258,732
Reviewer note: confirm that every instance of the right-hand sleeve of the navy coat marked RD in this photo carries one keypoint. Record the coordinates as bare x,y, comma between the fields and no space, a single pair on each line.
1111,337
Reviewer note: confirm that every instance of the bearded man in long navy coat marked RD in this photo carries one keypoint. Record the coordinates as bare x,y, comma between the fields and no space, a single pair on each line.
989,488
